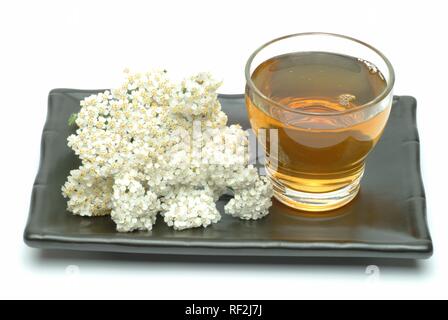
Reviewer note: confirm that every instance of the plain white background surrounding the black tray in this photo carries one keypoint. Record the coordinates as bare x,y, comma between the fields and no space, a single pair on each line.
87,44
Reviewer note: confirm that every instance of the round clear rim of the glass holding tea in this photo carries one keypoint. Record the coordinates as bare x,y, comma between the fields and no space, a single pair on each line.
374,101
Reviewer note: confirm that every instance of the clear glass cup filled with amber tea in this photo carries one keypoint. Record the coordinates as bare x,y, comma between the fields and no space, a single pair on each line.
318,103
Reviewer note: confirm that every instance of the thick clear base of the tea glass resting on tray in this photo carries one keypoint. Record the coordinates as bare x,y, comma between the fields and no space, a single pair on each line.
315,202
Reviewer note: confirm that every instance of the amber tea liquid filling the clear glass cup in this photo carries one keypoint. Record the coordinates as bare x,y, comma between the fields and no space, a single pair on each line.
322,145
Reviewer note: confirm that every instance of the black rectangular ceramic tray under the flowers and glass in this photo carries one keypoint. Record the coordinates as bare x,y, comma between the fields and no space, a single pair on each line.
386,219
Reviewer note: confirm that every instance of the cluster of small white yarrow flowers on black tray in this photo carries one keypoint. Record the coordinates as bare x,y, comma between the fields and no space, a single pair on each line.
153,147
